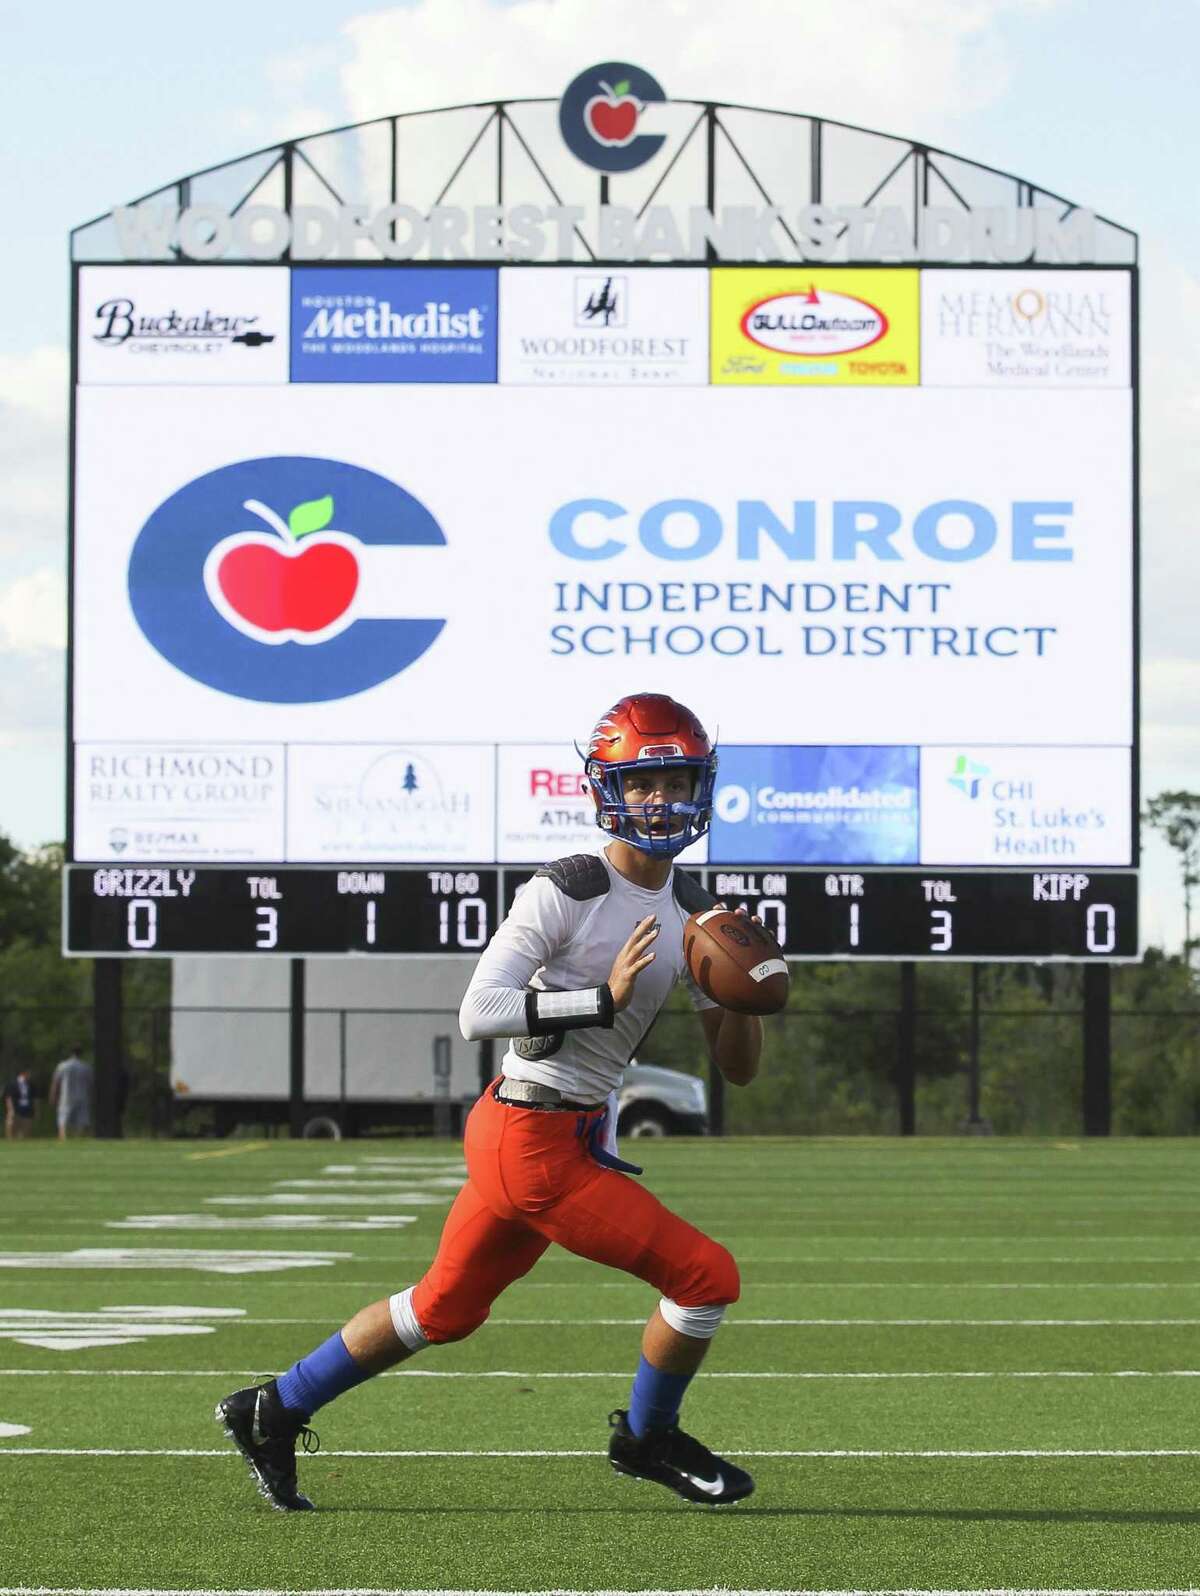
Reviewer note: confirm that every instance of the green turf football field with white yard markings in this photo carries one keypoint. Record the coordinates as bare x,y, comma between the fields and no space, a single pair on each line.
957,1365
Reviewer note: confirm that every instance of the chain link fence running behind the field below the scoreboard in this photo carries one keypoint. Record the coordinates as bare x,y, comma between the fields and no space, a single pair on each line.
827,1072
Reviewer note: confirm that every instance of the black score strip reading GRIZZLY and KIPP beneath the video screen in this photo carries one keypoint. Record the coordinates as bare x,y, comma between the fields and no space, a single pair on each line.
128,912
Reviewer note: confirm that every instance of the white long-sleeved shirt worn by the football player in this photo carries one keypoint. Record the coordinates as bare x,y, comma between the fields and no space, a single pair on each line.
556,941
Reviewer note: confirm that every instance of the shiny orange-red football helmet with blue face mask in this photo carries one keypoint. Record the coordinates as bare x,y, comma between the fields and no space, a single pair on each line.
650,730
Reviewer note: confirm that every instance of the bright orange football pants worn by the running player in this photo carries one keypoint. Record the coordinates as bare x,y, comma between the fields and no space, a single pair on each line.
532,1182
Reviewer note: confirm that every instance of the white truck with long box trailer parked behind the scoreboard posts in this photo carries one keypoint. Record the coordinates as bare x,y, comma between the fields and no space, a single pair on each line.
371,1062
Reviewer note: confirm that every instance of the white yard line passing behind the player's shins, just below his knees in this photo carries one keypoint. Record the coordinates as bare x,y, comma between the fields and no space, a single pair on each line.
625,1375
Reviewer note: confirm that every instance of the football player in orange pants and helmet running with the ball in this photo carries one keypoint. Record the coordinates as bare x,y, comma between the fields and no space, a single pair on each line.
574,981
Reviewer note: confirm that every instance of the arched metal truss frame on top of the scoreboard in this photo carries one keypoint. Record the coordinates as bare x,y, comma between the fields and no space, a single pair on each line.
910,173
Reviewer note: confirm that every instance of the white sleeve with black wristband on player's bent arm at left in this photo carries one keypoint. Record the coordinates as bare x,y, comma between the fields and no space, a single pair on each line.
499,1000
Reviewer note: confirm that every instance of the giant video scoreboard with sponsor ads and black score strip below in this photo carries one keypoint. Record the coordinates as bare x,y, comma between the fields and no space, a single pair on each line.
361,550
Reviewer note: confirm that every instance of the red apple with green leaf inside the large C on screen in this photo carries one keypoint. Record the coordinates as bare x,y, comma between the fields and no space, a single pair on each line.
296,583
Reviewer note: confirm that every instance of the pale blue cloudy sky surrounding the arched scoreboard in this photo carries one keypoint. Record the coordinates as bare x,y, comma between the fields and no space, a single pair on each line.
1095,101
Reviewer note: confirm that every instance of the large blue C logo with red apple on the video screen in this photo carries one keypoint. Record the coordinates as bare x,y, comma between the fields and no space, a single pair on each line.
243,617
